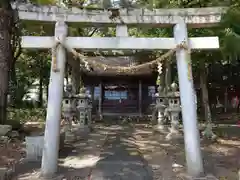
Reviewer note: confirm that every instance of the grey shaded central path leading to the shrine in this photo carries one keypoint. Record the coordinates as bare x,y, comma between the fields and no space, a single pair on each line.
120,157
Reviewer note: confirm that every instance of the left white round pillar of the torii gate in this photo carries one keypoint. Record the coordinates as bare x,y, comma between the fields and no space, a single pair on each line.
55,91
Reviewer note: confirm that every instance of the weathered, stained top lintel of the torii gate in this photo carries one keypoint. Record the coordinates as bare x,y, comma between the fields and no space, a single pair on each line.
194,17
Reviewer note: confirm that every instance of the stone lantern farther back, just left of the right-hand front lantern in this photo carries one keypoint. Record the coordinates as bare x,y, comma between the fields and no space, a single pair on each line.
161,106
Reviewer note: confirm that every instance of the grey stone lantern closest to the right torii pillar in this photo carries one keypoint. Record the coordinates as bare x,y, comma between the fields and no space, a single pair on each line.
174,108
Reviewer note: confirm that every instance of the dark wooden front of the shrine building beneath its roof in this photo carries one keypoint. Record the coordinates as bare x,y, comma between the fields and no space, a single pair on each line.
121,95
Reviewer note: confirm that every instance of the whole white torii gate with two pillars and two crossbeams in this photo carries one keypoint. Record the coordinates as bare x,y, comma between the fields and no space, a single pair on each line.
179,18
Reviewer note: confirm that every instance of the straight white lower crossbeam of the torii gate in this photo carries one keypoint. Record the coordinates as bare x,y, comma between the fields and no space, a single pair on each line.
119,43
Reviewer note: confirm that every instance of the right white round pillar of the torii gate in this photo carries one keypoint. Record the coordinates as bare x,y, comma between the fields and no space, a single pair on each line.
189,114
